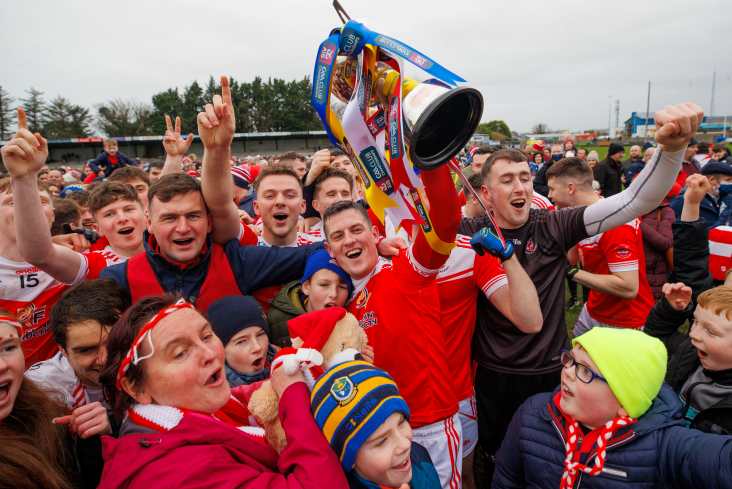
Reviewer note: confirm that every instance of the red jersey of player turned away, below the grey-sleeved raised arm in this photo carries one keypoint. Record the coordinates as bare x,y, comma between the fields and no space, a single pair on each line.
617,250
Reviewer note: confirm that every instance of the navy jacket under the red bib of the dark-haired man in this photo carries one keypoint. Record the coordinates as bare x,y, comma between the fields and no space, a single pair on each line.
254,267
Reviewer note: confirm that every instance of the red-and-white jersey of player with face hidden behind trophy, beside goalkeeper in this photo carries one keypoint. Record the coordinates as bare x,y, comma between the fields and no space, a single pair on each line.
458,282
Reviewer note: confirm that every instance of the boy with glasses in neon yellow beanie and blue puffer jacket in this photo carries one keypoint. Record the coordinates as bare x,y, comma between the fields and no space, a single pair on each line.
611,424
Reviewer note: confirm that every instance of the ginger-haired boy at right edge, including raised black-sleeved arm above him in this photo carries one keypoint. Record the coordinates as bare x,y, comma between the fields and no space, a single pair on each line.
700,363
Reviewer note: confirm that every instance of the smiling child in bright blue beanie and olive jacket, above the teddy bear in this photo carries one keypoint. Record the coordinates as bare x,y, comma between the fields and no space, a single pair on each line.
324,284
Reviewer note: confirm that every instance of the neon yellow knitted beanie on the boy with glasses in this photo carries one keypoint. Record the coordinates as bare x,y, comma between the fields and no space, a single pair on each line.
633,363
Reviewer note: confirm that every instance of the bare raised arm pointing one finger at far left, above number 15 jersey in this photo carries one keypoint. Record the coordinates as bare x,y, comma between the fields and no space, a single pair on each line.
24,156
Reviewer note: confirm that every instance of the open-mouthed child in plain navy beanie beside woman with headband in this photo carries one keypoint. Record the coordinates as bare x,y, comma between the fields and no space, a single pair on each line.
240,324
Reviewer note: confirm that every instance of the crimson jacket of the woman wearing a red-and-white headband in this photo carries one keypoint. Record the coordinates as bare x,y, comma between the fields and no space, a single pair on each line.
201,452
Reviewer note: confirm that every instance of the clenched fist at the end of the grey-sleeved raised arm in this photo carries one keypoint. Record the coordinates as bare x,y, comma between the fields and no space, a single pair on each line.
677,124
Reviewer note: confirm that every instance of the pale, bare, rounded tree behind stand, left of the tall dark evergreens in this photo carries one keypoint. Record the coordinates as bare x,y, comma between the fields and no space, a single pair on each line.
126,118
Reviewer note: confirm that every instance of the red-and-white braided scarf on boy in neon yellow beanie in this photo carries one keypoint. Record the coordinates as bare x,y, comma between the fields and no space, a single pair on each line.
574,449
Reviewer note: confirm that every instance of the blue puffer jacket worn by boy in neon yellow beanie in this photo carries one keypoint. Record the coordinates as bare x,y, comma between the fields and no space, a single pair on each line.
656,452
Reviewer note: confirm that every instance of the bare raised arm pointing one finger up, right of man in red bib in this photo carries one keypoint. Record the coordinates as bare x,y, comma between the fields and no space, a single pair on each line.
216,126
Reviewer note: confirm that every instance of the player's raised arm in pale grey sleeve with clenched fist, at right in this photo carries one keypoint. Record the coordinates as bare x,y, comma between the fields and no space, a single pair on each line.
675,126
